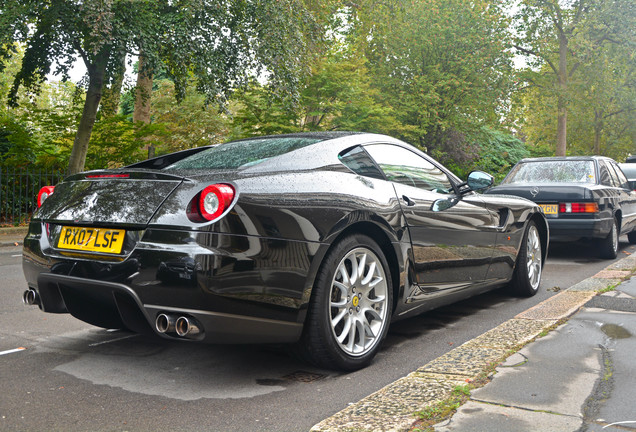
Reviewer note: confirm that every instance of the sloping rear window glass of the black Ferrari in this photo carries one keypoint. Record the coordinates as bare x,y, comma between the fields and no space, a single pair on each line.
241,154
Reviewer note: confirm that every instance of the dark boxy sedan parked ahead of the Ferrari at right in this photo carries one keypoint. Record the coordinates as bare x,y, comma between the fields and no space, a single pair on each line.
582,197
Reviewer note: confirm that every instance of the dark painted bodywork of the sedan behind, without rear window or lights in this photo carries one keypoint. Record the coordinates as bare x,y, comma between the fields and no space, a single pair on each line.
614,201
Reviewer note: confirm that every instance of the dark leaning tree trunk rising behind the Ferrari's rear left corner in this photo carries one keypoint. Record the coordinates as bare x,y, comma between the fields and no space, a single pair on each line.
96,74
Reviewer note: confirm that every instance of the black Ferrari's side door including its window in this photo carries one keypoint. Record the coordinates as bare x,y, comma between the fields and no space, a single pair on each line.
451,248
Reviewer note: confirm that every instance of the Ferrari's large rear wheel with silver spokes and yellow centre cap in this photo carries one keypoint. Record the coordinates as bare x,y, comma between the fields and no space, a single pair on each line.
351,304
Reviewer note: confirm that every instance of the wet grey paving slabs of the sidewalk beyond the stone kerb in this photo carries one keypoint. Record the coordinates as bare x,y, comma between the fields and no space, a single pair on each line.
579,377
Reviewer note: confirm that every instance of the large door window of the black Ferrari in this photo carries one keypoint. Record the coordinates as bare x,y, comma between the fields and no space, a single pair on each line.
406,167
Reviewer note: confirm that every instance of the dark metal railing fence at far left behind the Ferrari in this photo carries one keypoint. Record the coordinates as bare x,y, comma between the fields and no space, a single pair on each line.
19,189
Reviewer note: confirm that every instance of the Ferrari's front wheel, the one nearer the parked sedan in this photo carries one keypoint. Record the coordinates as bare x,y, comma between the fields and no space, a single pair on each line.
527,276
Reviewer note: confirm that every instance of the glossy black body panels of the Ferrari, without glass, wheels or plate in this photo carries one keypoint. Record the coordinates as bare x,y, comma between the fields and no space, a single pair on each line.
250,273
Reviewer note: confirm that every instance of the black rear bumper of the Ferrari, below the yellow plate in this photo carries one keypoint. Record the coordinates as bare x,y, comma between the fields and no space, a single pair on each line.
239,289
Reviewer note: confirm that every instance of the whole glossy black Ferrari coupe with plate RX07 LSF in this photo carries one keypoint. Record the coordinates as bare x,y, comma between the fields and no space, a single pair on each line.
317,239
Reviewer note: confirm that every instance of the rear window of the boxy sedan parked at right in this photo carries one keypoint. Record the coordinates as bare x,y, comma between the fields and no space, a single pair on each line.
556,171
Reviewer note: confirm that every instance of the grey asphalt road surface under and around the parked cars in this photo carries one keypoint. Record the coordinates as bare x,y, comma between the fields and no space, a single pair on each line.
57,373
